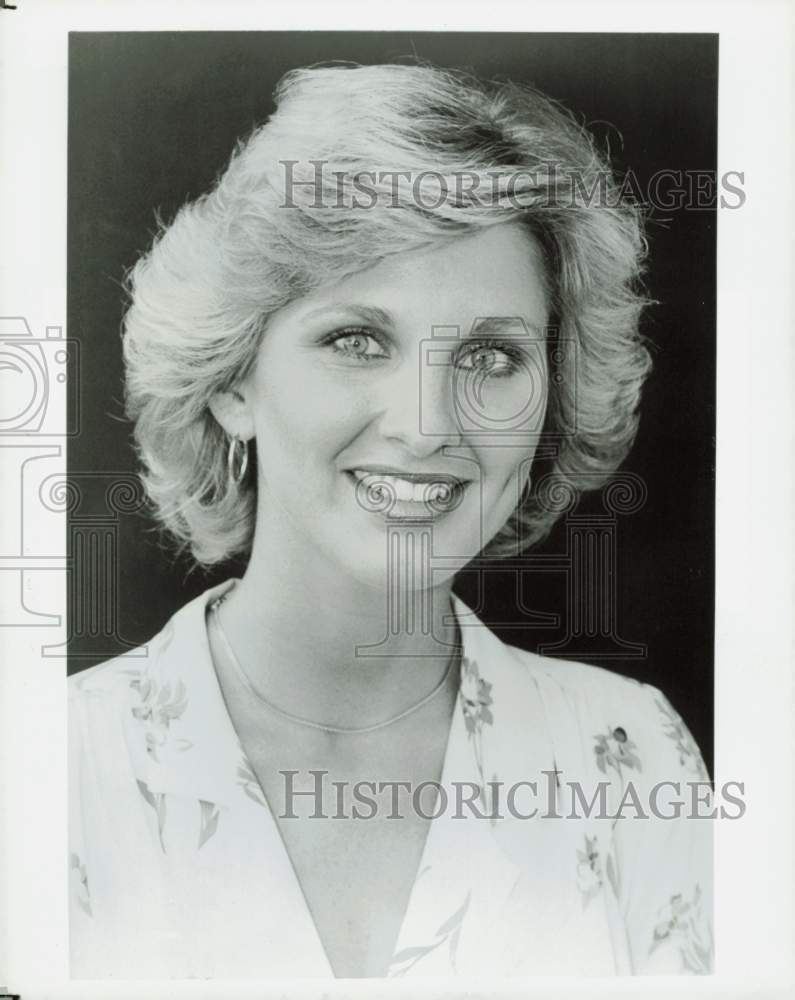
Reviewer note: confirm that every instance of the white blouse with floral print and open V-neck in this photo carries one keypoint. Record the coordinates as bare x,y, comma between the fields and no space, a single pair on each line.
560,866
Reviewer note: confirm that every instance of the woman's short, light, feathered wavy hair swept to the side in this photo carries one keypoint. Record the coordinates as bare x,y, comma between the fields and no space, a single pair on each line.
201,297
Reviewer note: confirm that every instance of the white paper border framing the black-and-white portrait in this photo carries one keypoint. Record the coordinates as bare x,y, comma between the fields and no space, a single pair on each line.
755,597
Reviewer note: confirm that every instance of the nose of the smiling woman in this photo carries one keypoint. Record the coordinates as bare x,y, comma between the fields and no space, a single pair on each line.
419,409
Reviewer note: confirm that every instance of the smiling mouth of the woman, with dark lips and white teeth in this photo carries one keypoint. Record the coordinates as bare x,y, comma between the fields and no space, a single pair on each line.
407,493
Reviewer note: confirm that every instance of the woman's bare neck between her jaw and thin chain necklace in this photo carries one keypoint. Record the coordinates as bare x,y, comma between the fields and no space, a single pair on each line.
327,647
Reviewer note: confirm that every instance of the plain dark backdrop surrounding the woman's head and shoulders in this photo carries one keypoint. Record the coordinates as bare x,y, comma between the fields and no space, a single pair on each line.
153,118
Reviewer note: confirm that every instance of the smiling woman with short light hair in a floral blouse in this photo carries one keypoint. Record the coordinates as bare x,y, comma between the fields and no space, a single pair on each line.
348,364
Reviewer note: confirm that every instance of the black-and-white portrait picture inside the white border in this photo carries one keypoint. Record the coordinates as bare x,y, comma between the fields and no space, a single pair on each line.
391,525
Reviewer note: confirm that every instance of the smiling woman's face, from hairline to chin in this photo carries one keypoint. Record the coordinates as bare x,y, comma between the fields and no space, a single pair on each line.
404,399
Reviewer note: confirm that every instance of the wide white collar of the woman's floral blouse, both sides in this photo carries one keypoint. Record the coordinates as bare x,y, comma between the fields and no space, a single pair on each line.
183,742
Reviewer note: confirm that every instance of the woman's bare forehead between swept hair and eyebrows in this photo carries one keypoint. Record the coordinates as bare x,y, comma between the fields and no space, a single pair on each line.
498,272
